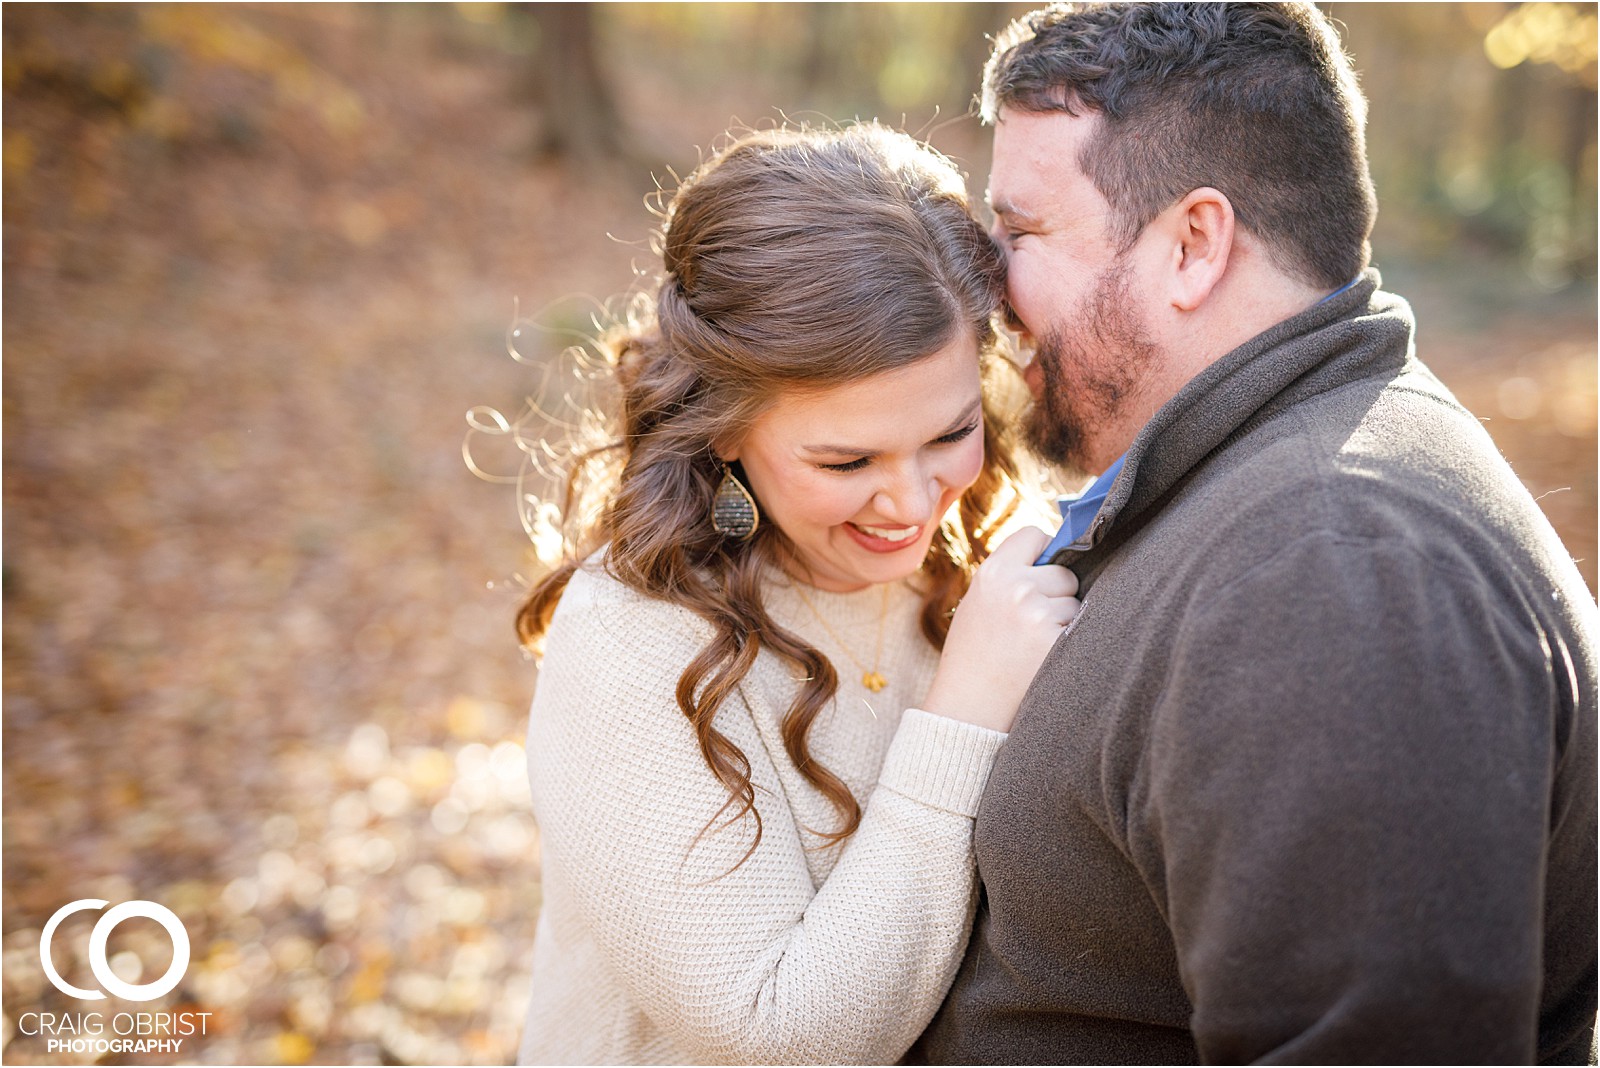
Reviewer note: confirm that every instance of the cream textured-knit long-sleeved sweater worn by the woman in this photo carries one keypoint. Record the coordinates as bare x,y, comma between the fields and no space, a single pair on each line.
649,949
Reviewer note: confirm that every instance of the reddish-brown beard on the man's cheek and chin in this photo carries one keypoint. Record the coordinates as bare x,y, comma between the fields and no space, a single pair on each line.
1092,369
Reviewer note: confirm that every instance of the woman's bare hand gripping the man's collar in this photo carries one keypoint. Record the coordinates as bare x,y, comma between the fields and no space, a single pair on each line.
1002,632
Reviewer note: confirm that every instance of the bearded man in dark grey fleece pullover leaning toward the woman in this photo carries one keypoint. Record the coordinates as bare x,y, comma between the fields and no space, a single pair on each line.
1313,775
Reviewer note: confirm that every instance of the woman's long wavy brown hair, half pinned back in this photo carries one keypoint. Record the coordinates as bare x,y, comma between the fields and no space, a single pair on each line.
794,260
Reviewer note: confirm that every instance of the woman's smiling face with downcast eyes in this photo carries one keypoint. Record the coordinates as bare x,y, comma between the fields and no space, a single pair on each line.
858,477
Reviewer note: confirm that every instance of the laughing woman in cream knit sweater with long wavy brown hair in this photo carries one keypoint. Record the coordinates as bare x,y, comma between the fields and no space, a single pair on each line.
753,770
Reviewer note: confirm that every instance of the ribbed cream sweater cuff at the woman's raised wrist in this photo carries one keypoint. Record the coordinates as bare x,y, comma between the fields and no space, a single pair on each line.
940,762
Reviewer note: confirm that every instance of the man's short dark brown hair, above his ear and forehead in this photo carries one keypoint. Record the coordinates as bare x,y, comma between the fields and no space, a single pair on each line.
1254,100
